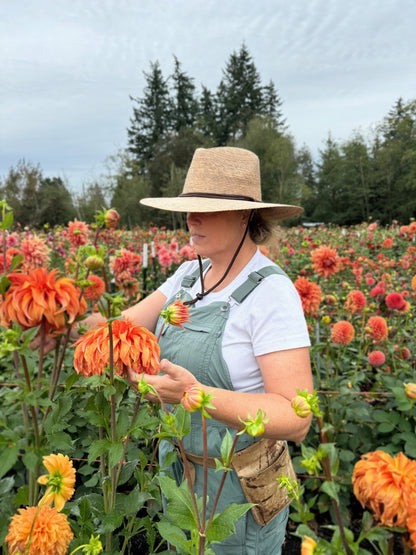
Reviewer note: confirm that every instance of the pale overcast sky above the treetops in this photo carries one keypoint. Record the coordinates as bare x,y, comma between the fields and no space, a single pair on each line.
68,68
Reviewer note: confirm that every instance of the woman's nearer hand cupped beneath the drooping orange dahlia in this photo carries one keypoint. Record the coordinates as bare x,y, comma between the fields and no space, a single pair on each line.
170,386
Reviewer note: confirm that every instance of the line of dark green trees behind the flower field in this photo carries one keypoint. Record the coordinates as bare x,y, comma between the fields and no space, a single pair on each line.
351,181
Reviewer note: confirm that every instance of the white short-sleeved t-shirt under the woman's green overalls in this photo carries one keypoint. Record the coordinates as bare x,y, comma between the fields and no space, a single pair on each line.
269,319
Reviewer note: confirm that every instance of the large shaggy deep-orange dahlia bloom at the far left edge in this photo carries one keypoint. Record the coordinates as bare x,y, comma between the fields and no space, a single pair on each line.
40,297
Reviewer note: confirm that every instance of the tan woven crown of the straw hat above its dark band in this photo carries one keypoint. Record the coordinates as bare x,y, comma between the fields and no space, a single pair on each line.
227,171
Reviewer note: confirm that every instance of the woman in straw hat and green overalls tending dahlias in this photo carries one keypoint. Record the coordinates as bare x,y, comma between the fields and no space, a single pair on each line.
246,343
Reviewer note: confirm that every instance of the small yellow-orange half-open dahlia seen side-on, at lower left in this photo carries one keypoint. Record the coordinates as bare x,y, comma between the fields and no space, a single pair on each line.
60,481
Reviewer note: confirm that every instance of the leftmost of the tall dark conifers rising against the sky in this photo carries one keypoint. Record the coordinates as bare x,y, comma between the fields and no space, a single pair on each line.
152,116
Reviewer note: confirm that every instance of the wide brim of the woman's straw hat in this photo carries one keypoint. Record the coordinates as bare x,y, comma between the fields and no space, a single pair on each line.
198,204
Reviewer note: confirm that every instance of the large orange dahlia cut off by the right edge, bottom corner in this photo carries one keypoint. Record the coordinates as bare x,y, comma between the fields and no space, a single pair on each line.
385,485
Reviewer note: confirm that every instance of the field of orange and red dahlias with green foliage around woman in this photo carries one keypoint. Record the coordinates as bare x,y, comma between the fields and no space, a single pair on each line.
66,406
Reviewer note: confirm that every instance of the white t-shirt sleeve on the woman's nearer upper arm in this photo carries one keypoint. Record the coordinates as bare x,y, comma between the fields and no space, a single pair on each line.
277,321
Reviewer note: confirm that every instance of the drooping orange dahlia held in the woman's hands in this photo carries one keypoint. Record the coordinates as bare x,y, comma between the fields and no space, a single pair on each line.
133,346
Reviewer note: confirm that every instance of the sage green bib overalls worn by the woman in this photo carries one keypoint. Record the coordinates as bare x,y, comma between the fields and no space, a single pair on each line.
198,349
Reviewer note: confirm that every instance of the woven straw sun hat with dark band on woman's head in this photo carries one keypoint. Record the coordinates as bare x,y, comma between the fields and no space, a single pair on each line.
219,179
